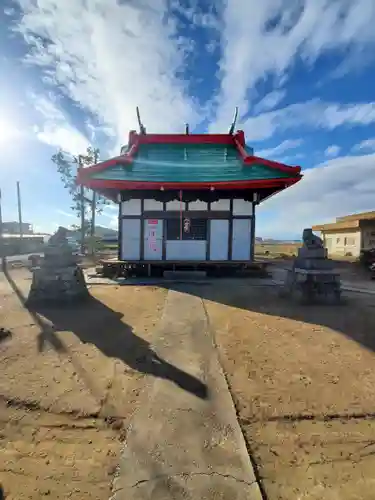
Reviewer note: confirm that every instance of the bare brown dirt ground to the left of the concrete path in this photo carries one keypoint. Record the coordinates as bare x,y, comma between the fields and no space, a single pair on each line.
68,387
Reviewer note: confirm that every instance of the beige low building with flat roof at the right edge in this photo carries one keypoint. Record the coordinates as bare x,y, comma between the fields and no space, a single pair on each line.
349,235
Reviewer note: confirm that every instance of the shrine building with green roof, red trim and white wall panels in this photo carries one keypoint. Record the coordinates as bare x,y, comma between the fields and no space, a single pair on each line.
187,199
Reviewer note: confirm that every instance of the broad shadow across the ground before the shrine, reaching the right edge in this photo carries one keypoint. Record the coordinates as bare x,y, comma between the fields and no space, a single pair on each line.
355,317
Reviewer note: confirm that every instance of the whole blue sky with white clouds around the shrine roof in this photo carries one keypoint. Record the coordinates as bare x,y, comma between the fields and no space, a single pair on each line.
301,71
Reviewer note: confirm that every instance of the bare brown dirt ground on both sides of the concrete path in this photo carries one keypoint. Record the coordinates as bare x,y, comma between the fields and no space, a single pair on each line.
302,378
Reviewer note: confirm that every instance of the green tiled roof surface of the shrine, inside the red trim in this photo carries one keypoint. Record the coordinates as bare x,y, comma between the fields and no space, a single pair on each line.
188,163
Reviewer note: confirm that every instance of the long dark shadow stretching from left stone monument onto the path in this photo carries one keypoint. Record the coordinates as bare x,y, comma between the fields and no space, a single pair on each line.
95,323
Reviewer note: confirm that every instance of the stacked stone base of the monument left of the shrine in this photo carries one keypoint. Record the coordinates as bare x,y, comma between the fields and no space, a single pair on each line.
60,285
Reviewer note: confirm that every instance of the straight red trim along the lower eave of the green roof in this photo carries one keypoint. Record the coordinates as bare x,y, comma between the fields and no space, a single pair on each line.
124,185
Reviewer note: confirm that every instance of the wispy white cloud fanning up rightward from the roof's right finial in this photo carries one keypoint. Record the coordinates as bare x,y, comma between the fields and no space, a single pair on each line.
262,39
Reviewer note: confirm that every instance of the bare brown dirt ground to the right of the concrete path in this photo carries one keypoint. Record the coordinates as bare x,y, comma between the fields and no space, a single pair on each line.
303,381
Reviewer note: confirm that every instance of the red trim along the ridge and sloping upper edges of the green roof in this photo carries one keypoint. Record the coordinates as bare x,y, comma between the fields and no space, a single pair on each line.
135,140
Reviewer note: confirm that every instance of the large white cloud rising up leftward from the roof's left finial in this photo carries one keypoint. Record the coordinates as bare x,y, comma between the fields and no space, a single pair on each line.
110,57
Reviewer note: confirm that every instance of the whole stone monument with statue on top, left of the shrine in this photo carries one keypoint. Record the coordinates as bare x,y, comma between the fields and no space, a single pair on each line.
59,278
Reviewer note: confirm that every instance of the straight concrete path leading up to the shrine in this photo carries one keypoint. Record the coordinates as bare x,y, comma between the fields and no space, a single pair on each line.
184,442
